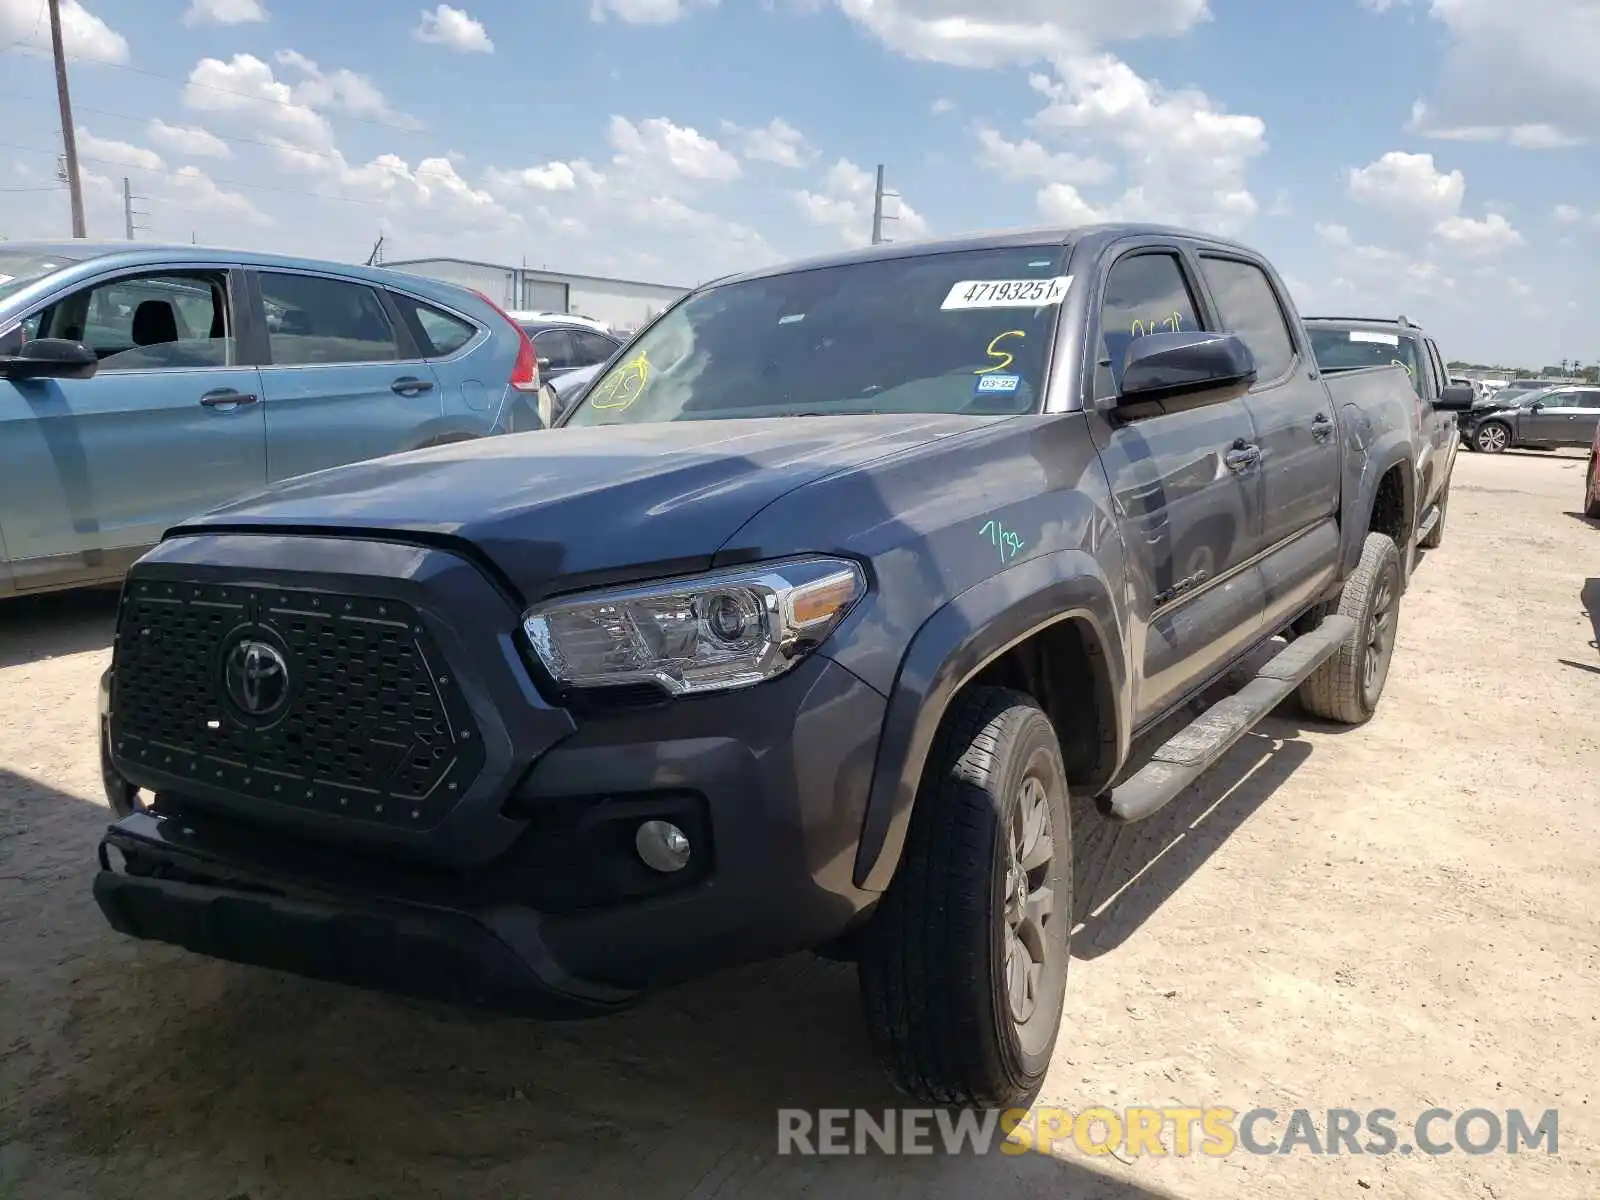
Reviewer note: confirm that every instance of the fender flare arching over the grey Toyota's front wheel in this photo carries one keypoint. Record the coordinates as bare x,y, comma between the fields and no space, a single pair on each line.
951,647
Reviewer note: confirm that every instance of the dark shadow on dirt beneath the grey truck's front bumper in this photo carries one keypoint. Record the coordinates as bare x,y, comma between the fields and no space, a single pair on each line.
135,1070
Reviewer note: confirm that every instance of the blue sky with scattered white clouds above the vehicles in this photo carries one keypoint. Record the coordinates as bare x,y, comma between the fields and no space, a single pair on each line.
1393,156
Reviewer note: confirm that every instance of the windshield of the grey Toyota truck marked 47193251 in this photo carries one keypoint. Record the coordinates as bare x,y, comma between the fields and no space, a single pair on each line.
962,332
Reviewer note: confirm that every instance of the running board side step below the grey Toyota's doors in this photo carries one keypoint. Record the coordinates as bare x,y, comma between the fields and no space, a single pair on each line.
1196,750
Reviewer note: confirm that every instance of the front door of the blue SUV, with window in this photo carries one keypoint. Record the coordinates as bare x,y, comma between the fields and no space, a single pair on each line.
92,471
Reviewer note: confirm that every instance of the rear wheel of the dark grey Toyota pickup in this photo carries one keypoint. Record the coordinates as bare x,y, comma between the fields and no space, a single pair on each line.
1348,686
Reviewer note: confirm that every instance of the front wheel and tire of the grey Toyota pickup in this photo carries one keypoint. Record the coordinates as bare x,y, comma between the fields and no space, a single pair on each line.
937,953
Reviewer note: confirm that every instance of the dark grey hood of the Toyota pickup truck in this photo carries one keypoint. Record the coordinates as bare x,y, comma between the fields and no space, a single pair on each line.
567,508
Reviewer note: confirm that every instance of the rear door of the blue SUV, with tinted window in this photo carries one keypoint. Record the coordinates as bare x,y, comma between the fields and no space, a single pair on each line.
343,382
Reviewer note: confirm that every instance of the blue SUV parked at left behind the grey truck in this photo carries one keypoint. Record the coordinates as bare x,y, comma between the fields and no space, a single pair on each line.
142,386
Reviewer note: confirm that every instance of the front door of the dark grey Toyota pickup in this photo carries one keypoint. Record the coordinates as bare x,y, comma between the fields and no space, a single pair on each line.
1190,519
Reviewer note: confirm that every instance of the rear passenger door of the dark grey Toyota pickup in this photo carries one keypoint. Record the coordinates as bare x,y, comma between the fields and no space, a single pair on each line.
1295,428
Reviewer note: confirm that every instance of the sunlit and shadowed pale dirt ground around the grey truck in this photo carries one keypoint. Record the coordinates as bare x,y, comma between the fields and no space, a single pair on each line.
1402,916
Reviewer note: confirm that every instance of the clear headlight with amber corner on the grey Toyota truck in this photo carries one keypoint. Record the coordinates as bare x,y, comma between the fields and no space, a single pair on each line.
706,633
